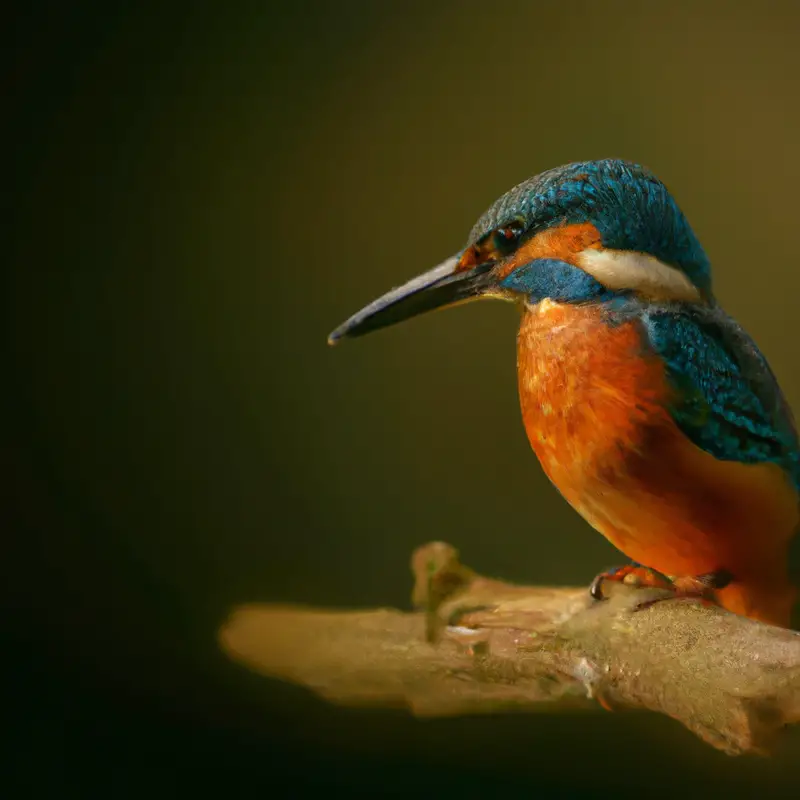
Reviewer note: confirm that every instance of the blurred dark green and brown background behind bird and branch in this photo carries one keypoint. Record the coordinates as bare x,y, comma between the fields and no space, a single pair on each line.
196,196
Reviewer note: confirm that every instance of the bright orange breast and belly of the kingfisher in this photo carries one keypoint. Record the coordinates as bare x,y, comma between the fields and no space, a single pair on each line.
594,407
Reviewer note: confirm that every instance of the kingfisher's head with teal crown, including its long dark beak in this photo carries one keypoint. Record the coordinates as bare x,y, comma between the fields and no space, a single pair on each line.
583,233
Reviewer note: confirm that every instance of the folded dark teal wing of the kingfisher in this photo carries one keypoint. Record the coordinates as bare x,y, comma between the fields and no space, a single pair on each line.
728,400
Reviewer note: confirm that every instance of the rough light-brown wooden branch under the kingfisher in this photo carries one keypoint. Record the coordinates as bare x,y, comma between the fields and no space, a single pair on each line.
482,645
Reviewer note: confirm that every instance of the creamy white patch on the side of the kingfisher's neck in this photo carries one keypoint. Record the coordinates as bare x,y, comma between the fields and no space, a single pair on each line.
638,272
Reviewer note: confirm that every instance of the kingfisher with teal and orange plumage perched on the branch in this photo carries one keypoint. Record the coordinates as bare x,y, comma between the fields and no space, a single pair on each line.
649,408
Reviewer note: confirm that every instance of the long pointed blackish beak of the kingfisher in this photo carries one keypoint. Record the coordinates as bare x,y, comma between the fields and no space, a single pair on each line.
442,286
